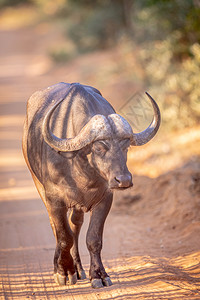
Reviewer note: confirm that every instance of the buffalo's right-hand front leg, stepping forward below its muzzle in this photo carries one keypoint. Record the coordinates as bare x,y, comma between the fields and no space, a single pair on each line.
98,275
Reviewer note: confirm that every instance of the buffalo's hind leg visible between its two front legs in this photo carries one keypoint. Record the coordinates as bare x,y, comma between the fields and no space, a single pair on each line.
75,221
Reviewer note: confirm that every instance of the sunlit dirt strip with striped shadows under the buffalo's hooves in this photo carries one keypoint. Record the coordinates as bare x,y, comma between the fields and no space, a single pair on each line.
137,277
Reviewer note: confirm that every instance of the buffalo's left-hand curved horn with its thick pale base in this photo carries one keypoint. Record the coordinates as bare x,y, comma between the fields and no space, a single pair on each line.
97,128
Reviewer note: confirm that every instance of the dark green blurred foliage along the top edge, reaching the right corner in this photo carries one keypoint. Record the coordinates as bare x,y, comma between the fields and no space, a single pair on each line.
99,24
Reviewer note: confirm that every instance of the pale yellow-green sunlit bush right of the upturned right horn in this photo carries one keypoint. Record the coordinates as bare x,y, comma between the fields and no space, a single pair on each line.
176,84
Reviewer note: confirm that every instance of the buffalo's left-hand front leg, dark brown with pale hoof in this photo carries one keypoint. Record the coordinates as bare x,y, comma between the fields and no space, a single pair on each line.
64,269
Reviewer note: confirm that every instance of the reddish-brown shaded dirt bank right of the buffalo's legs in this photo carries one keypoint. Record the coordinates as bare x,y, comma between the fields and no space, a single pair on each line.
165,210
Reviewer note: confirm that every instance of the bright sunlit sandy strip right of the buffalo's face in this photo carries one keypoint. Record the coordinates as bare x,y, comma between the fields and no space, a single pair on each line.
165,152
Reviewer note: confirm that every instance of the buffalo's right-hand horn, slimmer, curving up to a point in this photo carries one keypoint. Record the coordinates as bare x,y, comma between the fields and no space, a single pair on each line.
145,136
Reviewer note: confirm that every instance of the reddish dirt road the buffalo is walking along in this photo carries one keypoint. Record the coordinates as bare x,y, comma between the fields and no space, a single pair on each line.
145,259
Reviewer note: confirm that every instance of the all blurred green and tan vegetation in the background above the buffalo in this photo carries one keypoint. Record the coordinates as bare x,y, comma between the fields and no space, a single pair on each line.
158,42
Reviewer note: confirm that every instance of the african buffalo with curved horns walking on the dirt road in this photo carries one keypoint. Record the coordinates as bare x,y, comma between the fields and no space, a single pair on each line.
75,146
